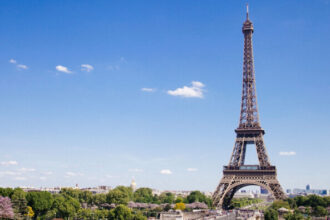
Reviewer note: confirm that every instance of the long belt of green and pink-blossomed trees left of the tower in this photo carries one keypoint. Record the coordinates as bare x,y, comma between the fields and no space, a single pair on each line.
80,204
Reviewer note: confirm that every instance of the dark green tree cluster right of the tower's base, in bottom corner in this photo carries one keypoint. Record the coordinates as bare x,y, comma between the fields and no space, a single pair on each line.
299,208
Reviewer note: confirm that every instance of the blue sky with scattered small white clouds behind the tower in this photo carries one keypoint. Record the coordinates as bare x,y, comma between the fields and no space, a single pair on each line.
121,115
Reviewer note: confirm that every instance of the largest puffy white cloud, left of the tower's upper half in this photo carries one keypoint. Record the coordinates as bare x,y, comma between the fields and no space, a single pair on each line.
193,91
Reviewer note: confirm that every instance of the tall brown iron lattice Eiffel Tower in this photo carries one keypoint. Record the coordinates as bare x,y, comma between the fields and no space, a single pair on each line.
238,174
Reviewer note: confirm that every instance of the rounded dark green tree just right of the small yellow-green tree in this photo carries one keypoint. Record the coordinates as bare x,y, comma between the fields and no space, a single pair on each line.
40,202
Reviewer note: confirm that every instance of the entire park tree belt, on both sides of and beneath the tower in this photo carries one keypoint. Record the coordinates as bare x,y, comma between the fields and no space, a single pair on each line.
122,203
